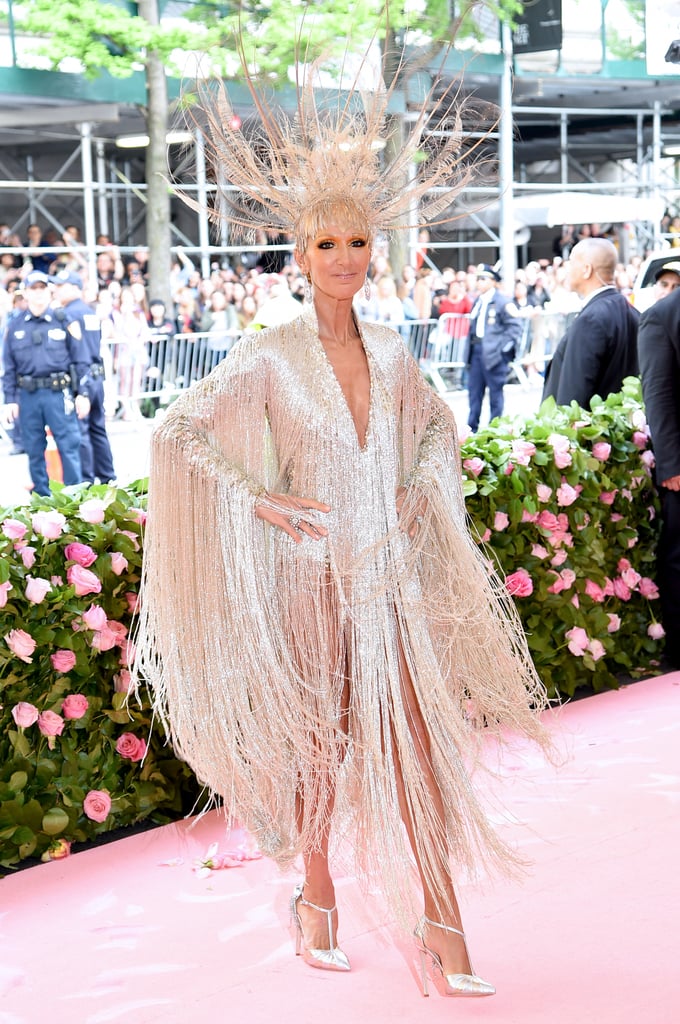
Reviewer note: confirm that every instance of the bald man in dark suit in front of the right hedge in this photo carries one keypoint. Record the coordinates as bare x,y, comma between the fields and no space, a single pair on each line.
600,349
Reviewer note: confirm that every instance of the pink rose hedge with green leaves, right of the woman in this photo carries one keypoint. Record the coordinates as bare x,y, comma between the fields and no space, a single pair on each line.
565,504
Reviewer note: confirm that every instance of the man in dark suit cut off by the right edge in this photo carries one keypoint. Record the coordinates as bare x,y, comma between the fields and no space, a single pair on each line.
659,347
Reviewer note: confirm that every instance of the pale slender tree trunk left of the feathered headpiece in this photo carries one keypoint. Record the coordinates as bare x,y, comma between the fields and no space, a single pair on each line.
158,195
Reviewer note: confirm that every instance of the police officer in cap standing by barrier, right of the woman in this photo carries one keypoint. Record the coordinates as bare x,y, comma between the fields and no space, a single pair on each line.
495,331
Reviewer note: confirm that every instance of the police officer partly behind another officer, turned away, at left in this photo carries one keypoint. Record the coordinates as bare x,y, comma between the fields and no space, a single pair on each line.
84,327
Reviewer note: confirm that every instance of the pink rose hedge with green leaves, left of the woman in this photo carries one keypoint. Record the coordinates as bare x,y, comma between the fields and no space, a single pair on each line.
76,759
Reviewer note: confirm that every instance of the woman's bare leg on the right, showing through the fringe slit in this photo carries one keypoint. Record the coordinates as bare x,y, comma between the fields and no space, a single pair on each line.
441,906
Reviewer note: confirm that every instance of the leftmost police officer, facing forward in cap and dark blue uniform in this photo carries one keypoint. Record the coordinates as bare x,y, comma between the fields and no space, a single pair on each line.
46,382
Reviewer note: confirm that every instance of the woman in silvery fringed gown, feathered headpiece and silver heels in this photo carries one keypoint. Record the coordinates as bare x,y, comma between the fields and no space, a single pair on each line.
325,643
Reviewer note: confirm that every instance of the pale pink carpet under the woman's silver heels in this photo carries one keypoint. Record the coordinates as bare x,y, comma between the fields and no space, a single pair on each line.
130,931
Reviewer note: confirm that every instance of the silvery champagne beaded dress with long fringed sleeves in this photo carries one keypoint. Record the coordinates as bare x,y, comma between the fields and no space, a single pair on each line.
248,639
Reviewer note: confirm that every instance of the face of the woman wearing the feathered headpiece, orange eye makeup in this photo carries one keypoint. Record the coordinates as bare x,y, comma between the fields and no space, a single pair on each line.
337,261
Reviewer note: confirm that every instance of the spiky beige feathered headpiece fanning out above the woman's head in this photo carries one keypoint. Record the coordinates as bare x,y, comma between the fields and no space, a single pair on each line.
351,149
